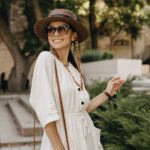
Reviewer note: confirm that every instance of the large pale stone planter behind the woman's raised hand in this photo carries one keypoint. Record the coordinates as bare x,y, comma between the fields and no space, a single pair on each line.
100,70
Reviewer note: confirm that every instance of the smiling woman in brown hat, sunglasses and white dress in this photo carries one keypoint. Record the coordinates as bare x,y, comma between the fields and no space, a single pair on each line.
61,29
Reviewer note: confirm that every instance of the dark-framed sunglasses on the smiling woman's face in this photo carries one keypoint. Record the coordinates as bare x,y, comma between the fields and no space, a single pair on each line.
62,30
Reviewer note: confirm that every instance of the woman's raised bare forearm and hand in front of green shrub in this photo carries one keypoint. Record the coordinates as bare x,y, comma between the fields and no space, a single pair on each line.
112,87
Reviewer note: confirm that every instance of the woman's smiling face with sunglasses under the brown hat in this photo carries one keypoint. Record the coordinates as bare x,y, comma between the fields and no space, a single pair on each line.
60,35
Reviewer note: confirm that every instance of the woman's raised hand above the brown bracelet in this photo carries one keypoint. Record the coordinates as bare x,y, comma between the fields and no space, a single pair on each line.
114,85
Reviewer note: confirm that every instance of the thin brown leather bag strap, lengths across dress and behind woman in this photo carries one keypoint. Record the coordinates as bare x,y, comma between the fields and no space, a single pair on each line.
62,109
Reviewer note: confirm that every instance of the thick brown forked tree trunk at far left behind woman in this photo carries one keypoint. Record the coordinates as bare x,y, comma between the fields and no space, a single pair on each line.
18,76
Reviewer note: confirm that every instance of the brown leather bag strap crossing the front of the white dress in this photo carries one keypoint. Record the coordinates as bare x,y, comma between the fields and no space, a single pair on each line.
61,105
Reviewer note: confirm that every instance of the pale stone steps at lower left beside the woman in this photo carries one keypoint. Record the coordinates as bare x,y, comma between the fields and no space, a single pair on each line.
17,124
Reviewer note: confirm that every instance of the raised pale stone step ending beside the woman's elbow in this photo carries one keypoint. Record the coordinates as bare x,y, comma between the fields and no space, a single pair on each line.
24,119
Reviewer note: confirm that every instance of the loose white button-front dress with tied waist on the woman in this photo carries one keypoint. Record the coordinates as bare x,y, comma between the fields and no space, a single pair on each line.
82,133
